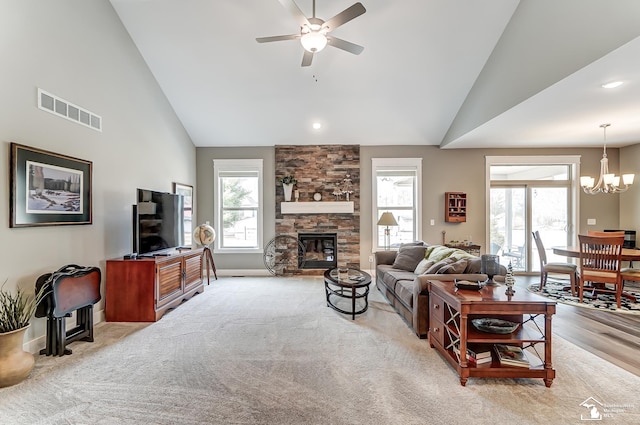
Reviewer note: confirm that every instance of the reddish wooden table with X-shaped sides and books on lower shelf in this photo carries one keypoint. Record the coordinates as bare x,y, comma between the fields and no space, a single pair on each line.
451,311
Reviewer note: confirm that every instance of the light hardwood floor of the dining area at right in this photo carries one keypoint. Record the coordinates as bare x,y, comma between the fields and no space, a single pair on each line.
614,337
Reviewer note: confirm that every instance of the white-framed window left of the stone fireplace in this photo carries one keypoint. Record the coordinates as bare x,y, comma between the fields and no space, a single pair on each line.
238,204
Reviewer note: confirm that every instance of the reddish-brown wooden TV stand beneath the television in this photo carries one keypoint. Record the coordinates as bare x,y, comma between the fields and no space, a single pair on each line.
142,290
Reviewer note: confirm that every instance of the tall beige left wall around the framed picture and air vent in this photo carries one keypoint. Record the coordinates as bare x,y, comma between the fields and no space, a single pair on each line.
79,51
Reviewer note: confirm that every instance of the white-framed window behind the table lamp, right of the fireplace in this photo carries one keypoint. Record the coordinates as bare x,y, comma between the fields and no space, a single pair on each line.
396,189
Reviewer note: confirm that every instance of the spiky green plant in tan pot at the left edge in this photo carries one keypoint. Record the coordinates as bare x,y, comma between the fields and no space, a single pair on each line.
15,312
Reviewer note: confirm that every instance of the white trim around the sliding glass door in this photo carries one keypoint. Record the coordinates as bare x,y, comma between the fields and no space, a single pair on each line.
572,160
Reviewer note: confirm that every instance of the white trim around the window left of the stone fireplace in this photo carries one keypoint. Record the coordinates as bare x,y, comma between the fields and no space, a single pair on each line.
238,165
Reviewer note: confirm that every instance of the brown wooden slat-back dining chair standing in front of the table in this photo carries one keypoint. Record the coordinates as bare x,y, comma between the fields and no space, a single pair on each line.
600,265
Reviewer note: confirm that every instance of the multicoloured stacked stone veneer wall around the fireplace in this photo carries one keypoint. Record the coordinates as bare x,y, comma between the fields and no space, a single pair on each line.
320,169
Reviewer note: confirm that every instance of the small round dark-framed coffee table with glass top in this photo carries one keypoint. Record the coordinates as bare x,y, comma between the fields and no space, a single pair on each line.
351,284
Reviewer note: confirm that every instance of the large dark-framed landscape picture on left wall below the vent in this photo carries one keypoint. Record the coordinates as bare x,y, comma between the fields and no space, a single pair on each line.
48,189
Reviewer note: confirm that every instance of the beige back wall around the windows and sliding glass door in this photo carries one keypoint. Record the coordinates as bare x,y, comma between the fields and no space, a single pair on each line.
458,170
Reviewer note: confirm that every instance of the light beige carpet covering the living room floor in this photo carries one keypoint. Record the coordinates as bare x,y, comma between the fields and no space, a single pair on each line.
269,351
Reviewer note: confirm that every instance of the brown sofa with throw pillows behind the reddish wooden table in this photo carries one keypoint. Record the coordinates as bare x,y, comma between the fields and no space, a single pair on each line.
402,276
